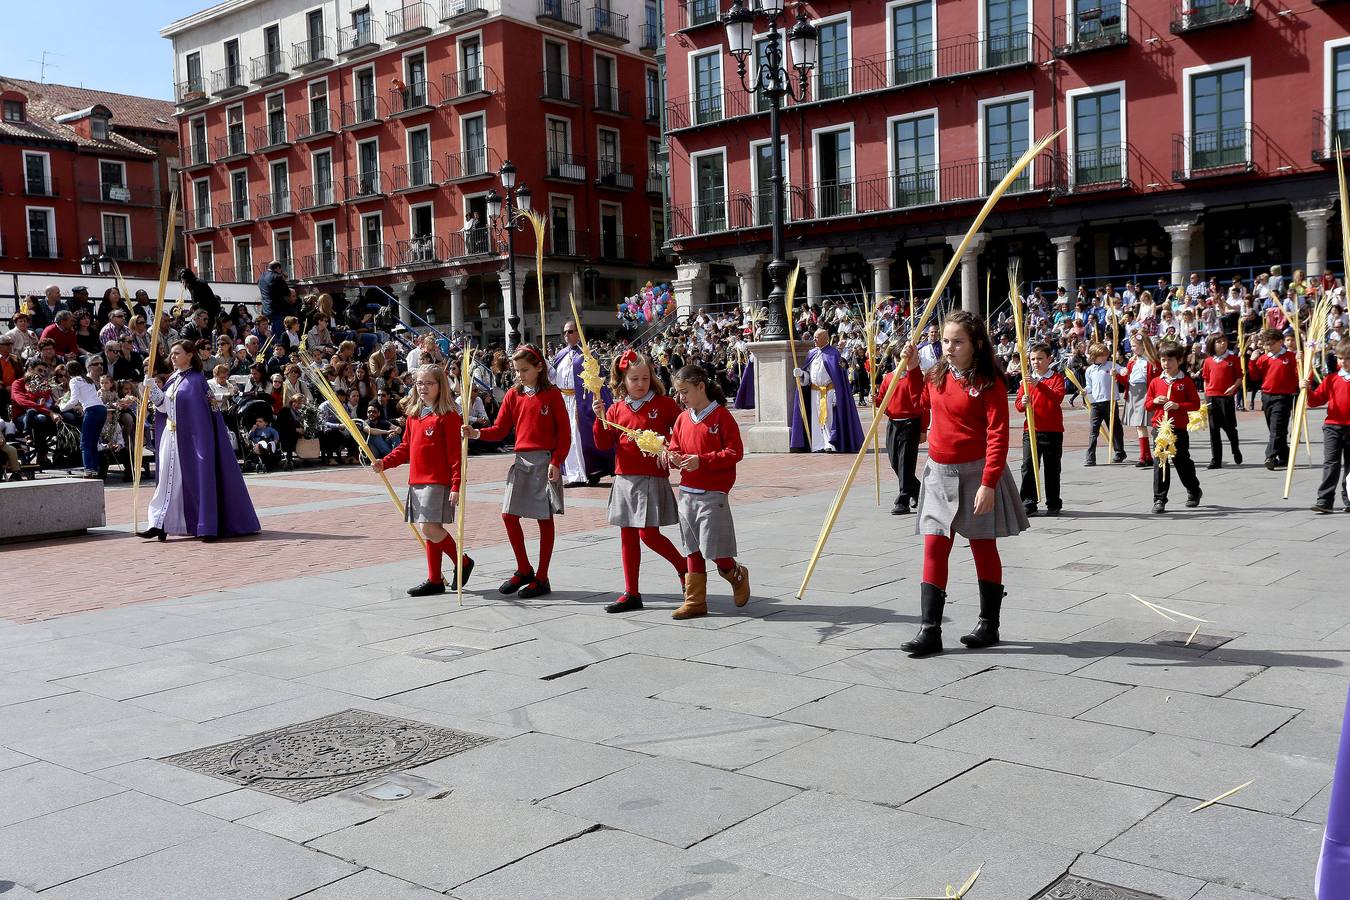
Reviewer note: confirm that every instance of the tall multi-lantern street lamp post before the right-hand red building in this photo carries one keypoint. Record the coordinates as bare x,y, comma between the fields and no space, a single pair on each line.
773,79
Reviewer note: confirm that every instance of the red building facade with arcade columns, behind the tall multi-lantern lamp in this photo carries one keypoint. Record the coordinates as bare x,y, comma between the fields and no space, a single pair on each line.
1190,132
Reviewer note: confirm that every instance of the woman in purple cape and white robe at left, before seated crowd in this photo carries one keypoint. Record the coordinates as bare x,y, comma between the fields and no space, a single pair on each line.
199,488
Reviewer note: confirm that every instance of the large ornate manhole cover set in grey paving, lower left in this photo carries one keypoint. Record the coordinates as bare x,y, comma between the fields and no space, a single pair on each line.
323,756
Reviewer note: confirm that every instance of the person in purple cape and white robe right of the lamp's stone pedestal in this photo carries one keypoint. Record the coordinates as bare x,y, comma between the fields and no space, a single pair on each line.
834,424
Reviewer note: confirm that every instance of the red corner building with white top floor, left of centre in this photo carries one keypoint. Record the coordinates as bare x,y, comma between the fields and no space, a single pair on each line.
354,146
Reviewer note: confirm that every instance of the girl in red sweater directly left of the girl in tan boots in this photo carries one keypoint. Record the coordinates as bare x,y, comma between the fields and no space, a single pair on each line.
642,501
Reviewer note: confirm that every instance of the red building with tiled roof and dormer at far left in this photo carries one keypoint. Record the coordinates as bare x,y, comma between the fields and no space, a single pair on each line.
79,164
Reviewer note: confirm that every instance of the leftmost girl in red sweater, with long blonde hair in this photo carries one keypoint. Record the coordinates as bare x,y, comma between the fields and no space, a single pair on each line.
431,446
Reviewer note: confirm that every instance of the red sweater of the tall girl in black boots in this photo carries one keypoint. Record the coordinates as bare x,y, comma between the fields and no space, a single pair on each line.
967,428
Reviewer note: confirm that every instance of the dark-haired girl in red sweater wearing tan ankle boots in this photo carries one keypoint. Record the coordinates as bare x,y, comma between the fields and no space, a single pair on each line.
707,446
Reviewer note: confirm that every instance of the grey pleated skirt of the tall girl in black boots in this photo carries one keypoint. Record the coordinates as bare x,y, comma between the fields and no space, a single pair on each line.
947,504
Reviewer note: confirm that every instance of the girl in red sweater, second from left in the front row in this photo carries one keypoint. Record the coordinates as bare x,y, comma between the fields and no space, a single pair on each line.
537,412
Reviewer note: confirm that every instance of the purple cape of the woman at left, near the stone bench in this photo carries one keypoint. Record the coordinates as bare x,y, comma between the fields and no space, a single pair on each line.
215,500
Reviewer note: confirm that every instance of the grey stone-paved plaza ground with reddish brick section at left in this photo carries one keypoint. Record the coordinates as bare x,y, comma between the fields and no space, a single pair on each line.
782,752
